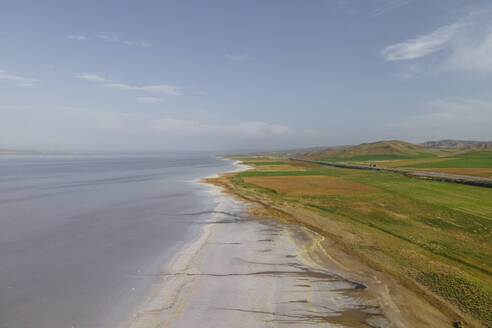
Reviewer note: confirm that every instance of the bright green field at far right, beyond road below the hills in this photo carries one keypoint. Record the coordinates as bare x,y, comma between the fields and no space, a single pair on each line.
482,159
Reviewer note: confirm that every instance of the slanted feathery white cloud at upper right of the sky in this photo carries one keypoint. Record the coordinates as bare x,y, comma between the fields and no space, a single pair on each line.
422,45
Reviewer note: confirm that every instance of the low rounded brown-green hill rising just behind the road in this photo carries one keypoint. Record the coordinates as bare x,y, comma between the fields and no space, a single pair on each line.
383,149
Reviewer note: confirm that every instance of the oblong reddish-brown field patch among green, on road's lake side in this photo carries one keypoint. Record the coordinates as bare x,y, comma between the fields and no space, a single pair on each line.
310,185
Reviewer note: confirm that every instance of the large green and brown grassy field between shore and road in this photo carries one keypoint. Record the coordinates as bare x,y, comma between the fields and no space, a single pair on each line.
436,233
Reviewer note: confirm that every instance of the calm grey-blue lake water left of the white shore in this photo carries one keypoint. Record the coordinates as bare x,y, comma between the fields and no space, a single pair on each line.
82,237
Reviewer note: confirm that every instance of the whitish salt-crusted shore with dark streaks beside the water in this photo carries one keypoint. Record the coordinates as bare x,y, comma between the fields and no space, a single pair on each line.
246,272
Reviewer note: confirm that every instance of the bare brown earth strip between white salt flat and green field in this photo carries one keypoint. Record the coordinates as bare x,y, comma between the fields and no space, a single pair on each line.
427,304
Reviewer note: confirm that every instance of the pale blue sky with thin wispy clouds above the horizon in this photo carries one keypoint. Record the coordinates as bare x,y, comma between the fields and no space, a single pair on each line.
242,74
